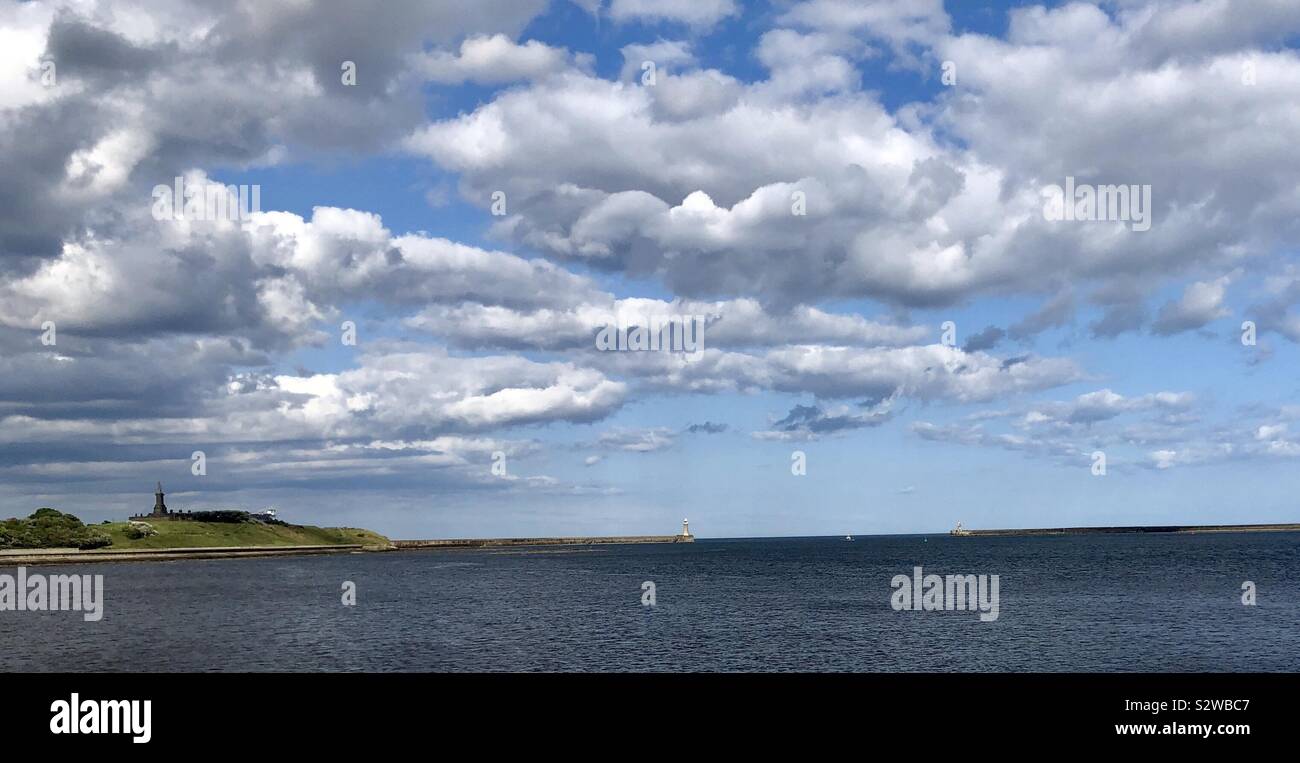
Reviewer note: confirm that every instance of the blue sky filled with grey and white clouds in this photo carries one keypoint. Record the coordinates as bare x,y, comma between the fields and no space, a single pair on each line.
456,198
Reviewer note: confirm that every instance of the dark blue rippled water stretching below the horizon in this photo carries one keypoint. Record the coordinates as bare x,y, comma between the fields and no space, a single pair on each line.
1067,604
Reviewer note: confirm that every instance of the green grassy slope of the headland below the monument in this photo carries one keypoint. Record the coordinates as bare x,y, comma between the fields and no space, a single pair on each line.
190,535
